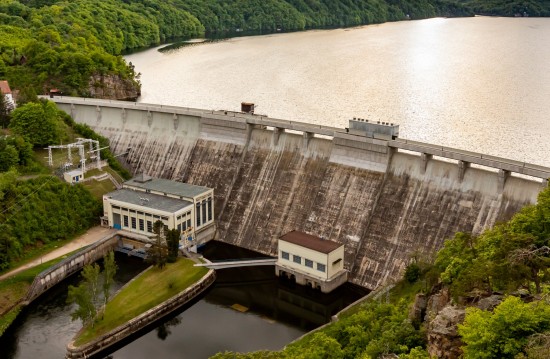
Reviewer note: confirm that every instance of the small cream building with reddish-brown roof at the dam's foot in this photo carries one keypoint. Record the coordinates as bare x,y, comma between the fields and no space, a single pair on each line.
311,261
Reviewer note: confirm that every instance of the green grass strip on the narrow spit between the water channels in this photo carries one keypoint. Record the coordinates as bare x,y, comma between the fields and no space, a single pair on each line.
145,292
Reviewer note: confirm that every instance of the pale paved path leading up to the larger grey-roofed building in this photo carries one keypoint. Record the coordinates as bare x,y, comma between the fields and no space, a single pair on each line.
92,235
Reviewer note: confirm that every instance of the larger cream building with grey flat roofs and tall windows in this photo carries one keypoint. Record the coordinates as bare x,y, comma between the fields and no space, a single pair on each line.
143,200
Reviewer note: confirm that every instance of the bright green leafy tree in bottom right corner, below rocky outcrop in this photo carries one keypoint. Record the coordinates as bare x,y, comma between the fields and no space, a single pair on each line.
504,333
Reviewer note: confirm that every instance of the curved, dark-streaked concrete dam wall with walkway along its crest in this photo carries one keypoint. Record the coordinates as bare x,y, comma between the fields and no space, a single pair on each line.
385,198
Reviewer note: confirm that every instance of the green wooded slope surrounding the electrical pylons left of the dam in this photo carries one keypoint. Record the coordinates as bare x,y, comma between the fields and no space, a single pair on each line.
37,208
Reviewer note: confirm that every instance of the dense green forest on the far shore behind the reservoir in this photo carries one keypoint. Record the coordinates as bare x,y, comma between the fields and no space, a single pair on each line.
75,46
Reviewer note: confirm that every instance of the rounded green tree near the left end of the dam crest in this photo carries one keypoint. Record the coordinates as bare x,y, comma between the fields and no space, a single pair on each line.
36,122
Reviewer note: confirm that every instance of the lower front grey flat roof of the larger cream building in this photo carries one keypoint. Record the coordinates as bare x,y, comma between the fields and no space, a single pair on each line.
149,200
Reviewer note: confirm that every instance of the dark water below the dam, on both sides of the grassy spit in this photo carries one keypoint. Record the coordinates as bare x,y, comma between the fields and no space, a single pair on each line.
247,309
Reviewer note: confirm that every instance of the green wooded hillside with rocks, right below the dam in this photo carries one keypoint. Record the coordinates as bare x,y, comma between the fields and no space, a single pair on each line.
507,266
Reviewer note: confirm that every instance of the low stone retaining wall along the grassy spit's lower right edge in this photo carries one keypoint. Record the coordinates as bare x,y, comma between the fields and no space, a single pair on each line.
143,320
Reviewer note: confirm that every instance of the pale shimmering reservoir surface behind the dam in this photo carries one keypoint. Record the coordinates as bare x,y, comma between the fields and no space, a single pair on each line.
480,84
